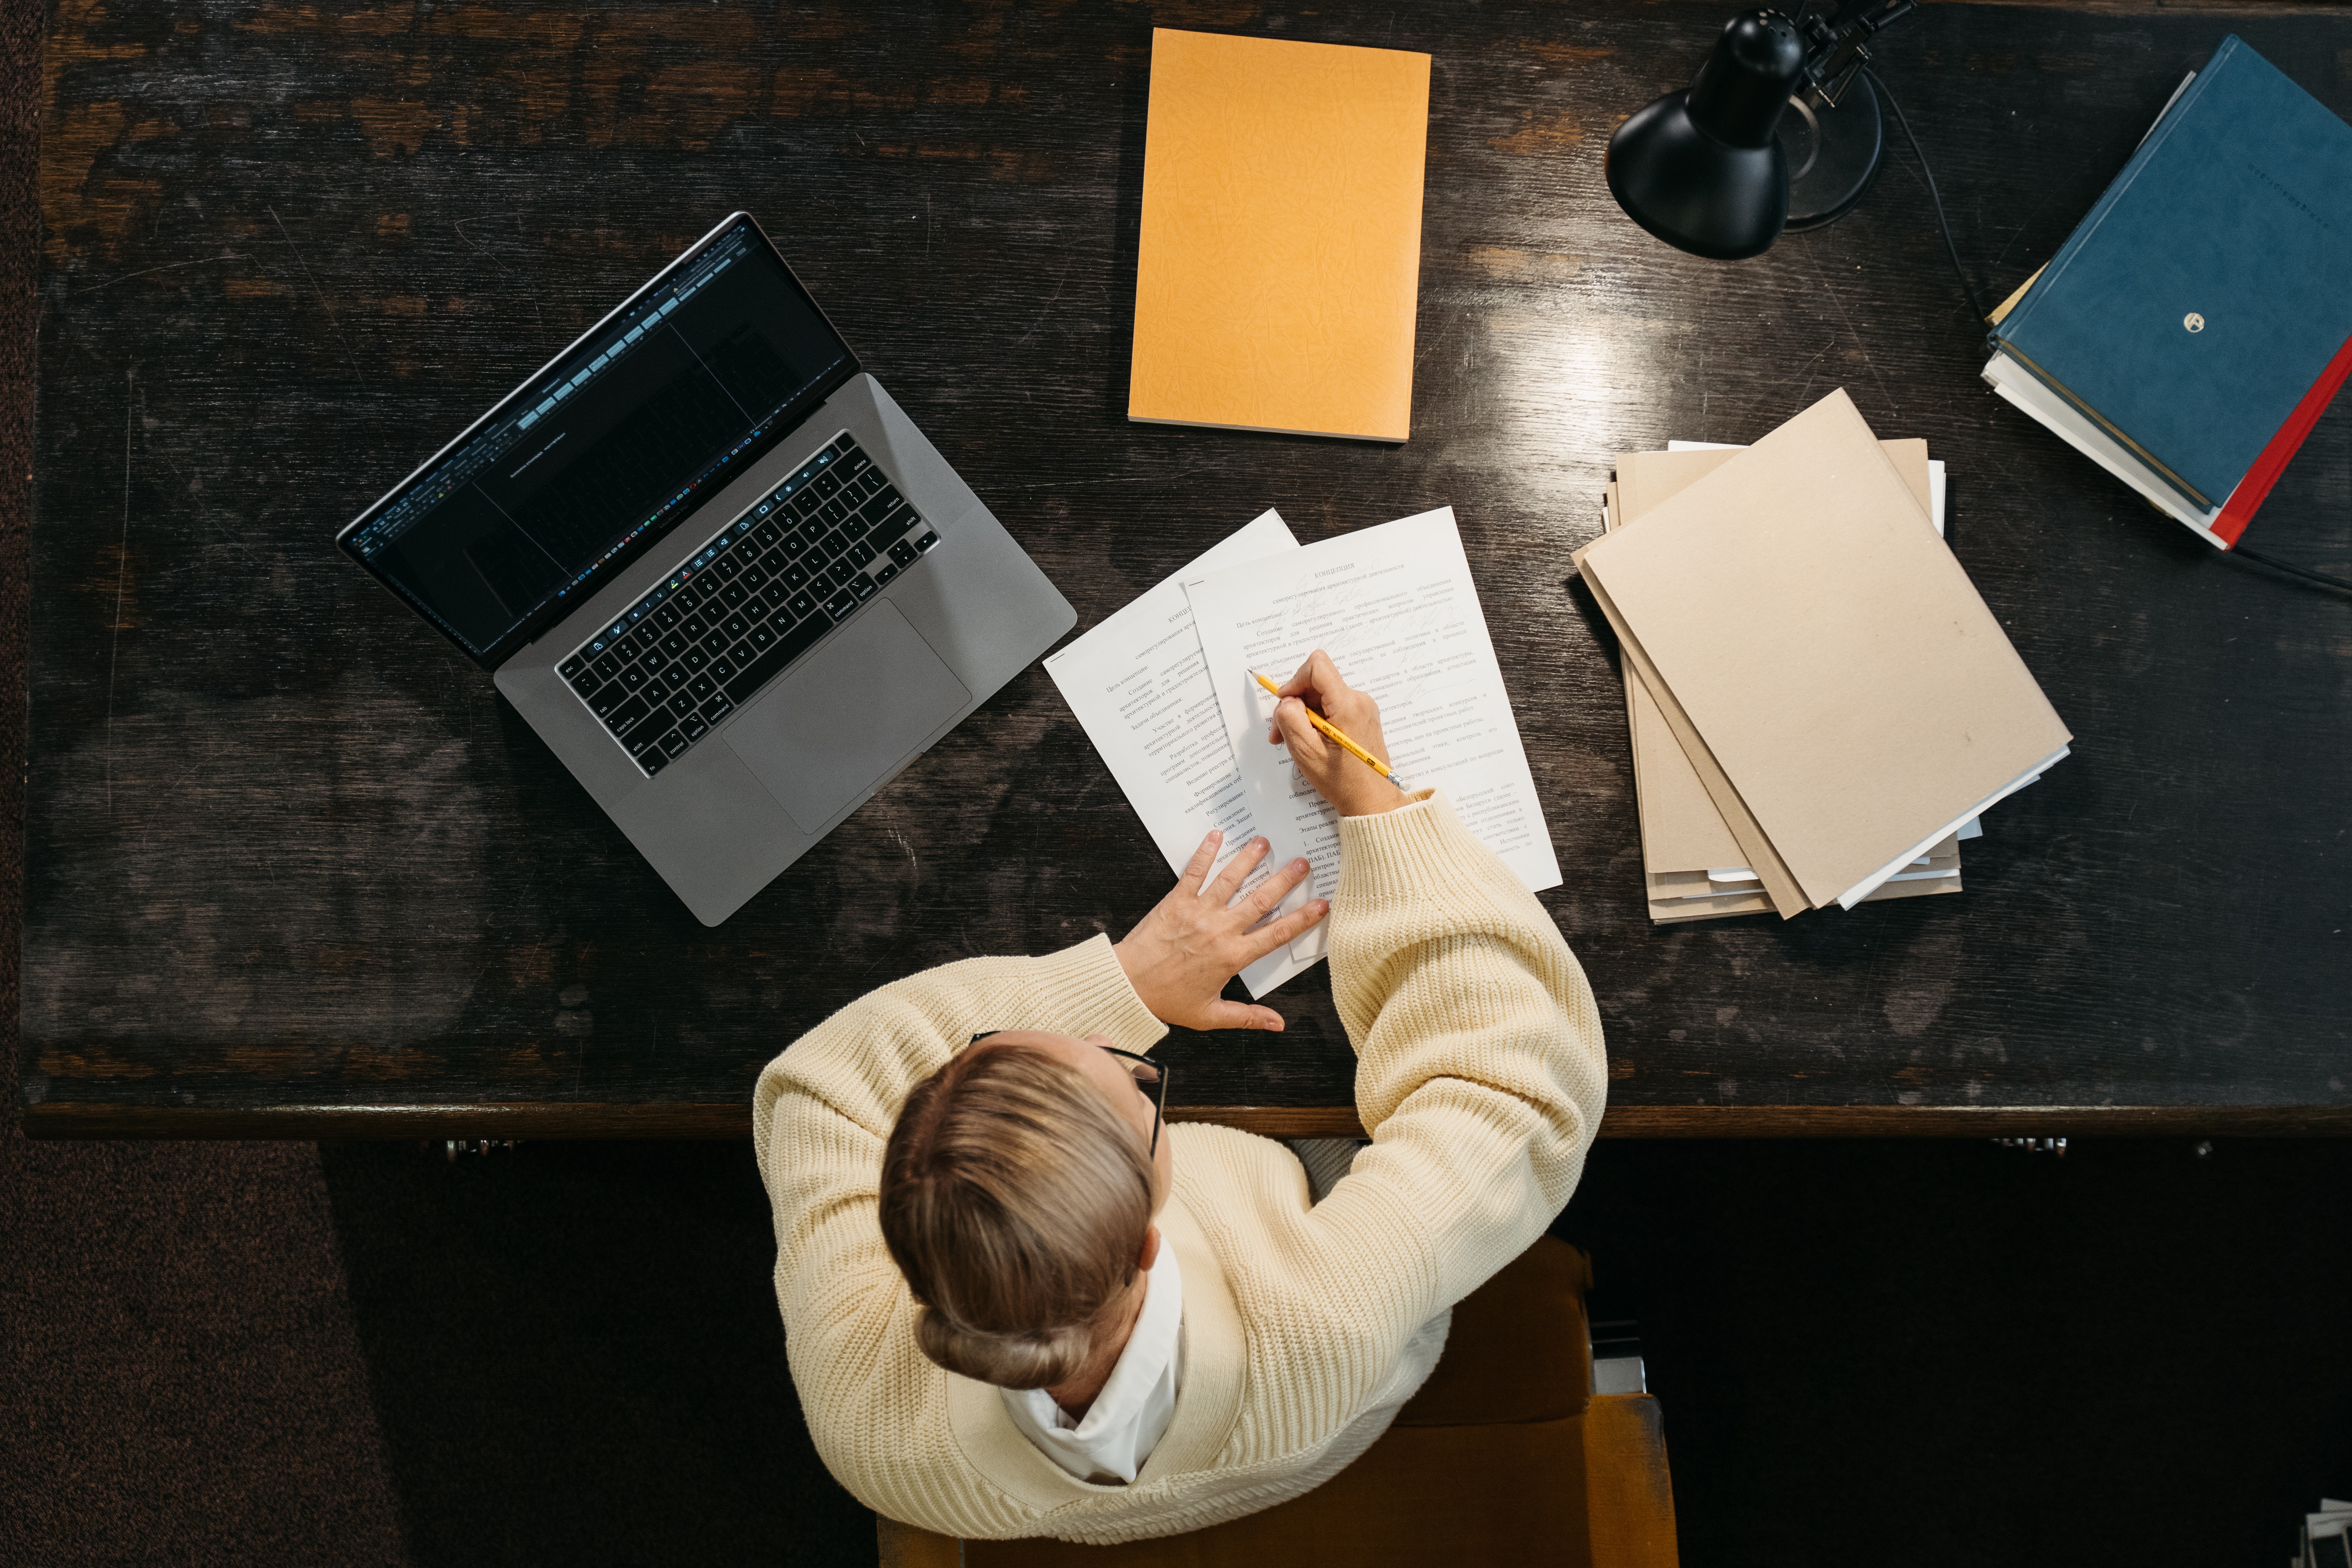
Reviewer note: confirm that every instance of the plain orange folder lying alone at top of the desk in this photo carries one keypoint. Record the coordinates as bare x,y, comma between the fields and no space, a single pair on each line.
1281,248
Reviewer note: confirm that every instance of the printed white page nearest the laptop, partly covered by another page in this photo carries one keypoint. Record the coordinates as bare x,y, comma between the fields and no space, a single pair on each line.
1142,692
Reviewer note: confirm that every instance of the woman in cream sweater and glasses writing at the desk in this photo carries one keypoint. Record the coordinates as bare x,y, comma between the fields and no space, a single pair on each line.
1017,1304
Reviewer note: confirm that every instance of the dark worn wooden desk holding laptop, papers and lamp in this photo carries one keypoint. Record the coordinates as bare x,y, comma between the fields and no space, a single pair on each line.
295,871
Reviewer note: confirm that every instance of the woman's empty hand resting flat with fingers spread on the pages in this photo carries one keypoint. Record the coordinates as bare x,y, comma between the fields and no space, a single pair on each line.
1196,939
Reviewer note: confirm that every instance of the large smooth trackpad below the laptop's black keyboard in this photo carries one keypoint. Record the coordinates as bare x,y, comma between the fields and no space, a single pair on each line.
848,716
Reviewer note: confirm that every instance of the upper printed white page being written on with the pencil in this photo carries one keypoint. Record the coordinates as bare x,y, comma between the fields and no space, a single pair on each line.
1401,617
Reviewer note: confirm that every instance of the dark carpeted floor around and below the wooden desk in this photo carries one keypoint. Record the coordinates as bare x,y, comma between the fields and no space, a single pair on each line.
363,1355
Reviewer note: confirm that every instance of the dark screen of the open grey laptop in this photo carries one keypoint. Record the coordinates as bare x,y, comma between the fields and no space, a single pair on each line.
596,457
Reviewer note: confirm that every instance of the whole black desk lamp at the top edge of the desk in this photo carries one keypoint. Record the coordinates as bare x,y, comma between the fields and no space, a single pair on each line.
1709,170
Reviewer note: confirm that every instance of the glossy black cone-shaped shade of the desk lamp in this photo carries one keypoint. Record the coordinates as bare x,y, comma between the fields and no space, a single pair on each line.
1704,168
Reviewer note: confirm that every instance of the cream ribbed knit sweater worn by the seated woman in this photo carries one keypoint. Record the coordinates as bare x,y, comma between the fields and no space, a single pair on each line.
1481,1078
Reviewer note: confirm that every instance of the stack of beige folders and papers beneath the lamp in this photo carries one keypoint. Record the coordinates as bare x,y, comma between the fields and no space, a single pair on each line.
1822,704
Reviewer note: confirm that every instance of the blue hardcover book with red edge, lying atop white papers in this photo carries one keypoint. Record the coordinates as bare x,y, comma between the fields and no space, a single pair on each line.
2203,314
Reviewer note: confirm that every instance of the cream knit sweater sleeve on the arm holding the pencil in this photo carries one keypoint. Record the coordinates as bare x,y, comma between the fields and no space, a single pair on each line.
1481,1057
